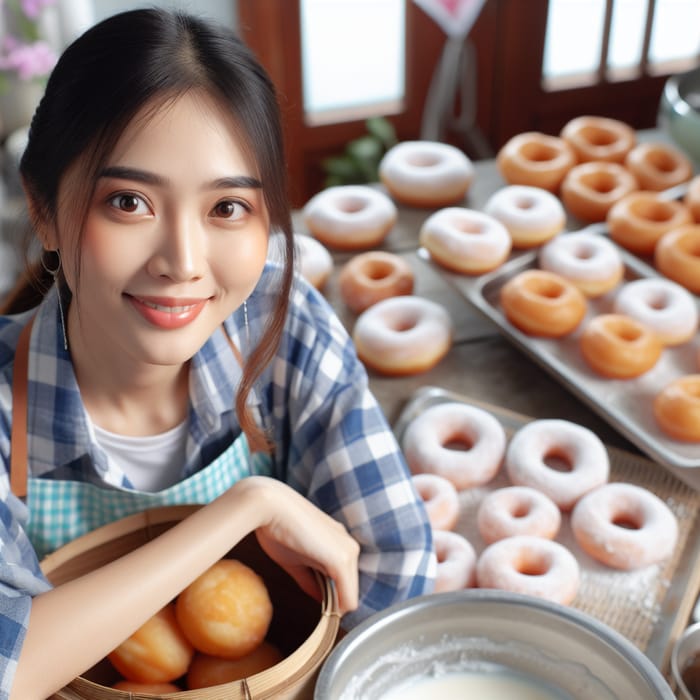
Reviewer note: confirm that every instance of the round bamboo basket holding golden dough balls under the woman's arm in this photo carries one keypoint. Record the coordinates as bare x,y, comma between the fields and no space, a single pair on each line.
302,628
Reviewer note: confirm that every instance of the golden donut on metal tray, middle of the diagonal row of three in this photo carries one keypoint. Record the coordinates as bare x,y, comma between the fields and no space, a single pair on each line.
619,347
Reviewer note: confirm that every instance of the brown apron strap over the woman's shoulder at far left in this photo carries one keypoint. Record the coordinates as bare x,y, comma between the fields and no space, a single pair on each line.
18,445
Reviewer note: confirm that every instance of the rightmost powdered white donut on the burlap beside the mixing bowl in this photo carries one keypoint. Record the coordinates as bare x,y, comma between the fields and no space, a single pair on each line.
624,526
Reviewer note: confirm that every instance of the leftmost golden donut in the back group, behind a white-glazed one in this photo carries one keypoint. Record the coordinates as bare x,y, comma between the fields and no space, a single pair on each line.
535,159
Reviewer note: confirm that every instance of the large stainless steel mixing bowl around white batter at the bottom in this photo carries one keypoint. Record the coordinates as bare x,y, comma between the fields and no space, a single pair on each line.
485,630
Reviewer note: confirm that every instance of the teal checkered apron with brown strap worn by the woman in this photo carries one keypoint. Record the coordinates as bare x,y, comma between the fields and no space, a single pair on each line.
62,510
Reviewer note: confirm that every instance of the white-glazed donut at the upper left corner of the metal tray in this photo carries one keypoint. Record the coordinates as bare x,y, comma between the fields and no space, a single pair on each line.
465,240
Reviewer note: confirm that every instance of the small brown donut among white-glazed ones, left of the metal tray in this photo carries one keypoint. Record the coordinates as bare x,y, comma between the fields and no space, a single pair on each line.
372,276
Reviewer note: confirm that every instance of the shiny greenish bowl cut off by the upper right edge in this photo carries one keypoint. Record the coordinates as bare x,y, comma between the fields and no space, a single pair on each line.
679,111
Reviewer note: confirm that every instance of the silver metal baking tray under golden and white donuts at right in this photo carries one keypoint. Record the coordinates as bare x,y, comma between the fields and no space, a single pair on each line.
625,404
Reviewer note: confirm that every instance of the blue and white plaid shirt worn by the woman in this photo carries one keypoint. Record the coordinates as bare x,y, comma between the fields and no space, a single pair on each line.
332,443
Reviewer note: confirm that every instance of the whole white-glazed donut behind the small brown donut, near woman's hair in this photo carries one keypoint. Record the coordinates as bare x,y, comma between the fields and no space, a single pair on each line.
350,217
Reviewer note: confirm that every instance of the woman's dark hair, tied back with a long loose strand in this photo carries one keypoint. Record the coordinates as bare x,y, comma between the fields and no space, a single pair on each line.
106,77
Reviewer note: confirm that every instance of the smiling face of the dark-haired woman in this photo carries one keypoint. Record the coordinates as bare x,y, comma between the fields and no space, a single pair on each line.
175,239
